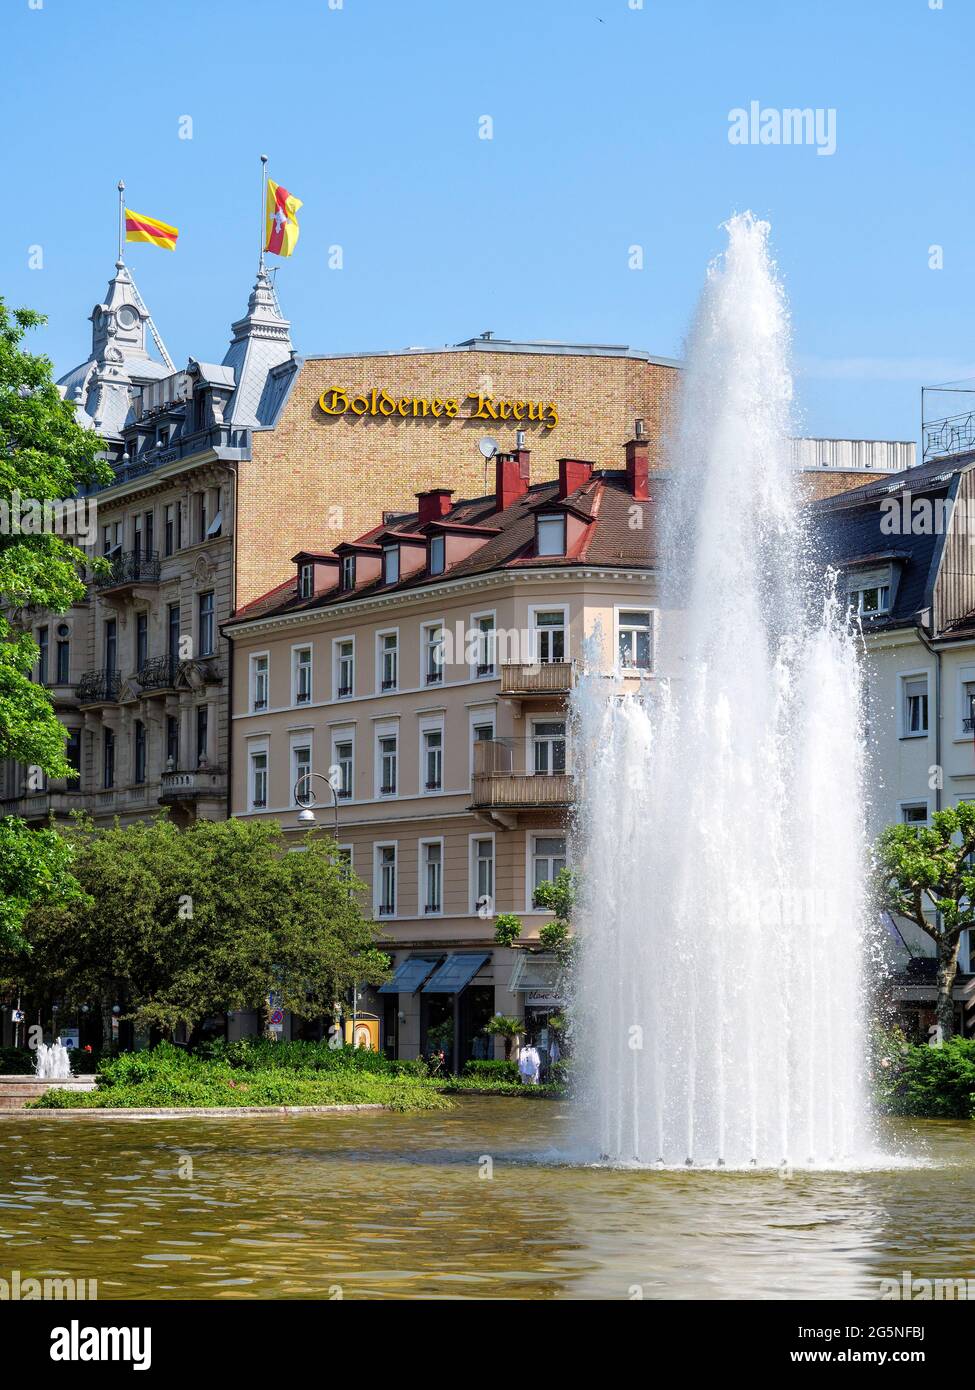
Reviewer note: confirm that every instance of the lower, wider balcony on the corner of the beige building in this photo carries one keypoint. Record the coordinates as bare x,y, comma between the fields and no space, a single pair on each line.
519,775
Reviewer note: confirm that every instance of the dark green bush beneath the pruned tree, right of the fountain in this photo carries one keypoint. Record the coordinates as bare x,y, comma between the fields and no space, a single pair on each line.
935,1082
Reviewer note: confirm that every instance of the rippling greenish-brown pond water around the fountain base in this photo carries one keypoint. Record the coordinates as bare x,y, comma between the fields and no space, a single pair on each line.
383,1206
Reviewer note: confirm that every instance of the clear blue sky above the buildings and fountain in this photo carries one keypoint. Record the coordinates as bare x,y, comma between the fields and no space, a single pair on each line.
610,130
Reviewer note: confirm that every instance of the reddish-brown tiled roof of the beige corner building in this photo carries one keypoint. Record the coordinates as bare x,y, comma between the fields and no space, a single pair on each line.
610,543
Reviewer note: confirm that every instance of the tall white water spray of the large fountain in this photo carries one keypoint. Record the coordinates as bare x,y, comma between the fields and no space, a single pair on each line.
721,835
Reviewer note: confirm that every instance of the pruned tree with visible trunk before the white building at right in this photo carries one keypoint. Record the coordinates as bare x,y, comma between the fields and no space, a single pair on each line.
933,868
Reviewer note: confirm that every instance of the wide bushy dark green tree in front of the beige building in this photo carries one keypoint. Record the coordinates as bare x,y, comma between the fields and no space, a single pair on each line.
182,925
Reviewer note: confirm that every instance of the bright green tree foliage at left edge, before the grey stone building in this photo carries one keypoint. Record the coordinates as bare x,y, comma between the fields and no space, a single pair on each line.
45,458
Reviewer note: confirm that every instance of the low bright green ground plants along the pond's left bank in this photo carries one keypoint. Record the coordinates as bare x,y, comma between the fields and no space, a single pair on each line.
168,1077
